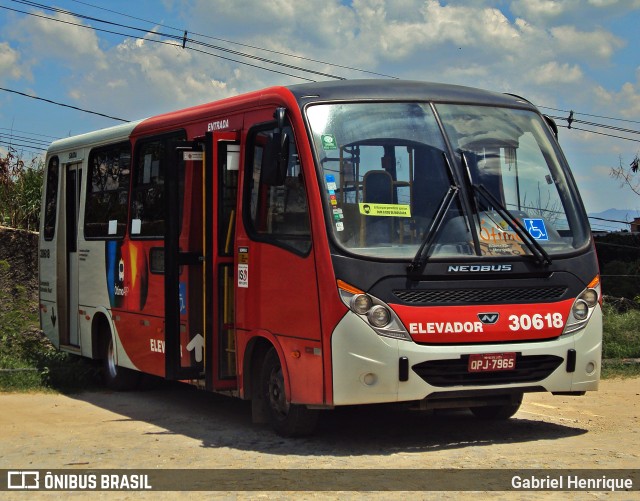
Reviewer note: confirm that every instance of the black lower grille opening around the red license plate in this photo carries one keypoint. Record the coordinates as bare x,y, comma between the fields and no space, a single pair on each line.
444,373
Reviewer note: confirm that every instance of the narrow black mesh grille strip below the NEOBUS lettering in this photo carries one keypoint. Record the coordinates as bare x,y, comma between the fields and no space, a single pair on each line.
502,295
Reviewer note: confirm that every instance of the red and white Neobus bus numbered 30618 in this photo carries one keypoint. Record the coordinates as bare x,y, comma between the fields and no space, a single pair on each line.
324,245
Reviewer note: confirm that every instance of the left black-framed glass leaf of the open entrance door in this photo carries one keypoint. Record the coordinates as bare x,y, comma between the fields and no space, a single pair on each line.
183,263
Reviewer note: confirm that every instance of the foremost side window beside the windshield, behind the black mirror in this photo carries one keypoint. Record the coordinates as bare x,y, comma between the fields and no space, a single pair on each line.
279,214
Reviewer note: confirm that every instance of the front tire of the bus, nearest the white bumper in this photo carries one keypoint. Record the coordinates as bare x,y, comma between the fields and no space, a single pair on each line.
287,419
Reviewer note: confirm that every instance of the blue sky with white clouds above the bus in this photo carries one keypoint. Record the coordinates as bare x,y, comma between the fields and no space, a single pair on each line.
126,60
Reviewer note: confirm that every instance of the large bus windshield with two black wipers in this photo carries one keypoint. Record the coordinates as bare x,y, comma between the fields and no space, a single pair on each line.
392,185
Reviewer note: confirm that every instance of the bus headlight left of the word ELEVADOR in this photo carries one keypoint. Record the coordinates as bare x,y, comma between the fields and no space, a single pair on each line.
376,313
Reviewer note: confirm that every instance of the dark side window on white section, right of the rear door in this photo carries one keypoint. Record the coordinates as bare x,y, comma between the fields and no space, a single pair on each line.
108,191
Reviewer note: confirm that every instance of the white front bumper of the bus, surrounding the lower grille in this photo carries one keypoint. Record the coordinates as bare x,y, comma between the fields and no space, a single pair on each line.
368,368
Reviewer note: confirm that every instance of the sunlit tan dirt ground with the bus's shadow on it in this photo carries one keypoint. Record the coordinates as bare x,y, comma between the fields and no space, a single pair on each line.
178,427
